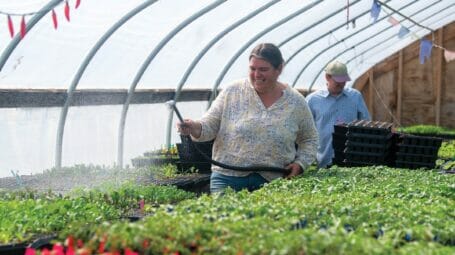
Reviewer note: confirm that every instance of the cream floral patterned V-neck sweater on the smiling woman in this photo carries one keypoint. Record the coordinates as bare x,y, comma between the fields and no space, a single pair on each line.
247,133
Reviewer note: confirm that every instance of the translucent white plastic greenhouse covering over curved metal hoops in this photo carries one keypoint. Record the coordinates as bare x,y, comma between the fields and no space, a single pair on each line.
177,45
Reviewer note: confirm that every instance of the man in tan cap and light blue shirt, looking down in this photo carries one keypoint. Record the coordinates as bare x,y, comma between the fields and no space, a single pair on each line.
334,105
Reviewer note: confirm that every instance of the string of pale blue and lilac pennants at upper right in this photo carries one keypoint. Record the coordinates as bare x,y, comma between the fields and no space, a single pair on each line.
425,45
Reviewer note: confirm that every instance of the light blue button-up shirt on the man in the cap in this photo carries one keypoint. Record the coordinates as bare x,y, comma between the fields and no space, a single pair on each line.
329,110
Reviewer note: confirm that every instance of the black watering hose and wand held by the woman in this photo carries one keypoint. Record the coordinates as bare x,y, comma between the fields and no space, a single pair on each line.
256,168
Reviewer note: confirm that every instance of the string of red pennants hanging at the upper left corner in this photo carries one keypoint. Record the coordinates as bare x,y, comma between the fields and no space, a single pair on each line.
23,26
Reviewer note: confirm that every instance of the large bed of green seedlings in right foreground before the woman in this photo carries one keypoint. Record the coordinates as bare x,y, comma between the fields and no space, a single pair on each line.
369,210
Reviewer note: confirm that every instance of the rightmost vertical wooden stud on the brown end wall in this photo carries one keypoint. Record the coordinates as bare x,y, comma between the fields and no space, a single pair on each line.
437,74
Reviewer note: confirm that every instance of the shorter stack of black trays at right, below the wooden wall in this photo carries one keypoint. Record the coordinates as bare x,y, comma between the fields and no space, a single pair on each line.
417,151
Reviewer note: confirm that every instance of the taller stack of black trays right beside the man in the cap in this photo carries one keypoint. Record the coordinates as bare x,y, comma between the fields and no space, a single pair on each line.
369,143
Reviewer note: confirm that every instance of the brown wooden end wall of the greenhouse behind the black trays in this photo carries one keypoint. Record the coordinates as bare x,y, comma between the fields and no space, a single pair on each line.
403,91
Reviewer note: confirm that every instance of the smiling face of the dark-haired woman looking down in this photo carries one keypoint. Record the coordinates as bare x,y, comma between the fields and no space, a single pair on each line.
263,75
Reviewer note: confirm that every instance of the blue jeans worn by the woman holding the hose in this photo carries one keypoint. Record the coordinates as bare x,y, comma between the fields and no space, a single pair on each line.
219,182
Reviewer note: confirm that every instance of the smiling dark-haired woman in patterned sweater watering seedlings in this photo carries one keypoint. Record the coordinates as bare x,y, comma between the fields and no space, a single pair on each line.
257,121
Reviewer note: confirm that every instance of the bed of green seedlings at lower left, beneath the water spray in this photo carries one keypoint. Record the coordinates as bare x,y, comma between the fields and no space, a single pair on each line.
25,215
